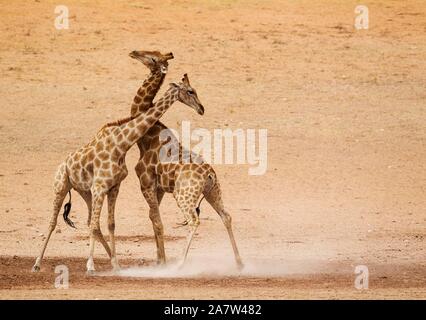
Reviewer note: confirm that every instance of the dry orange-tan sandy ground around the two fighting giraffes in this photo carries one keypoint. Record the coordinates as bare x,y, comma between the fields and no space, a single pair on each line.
345,112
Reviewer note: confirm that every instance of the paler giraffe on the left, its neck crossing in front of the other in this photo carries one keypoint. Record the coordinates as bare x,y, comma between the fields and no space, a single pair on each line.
97,169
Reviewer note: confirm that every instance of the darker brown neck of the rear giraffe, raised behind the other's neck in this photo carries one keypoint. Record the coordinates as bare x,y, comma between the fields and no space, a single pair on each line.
146,93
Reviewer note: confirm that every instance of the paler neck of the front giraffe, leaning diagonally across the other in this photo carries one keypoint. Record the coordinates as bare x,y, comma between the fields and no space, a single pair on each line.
136,128
